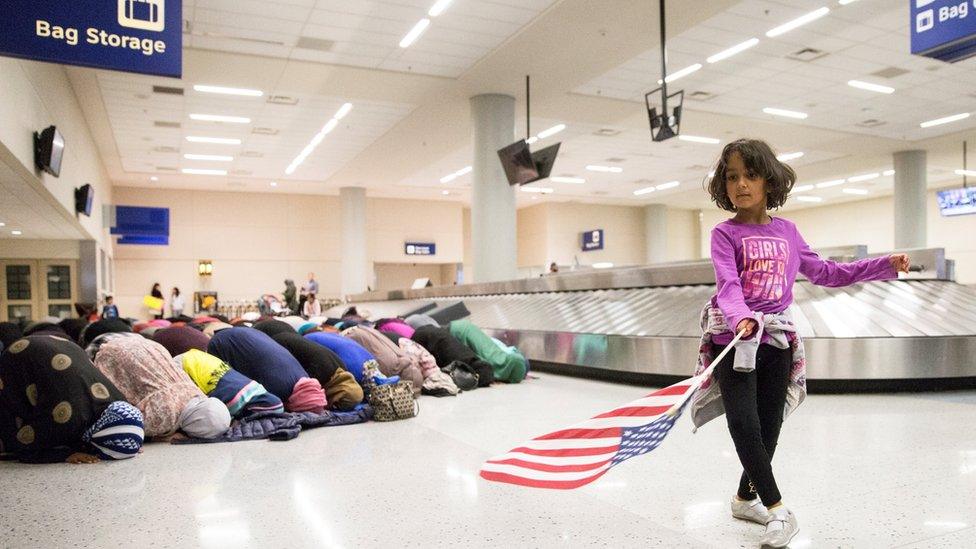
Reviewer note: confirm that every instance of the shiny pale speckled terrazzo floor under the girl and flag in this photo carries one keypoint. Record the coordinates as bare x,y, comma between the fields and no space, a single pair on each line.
859,471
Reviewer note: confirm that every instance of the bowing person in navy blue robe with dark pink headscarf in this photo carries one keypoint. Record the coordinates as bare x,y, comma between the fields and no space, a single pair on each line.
256,355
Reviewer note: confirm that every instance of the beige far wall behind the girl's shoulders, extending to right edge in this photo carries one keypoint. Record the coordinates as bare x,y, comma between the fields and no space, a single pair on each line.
871,222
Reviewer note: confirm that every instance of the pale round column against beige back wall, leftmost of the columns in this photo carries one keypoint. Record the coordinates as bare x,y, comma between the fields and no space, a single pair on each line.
355,262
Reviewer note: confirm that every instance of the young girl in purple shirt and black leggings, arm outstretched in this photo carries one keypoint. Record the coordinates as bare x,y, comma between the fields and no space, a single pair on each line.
760,381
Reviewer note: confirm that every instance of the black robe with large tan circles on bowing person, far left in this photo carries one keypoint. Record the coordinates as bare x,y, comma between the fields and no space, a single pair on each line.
55,393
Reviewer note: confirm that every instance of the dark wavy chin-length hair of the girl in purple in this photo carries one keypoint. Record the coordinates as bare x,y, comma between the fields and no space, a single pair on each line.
761,161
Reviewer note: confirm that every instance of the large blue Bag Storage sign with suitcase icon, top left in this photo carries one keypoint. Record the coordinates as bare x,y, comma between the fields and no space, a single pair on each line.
144,36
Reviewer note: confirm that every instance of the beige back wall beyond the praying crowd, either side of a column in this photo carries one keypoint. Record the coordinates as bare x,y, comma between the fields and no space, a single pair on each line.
258,240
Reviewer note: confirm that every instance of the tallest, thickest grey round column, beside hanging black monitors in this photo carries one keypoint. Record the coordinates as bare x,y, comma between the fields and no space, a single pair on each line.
493,215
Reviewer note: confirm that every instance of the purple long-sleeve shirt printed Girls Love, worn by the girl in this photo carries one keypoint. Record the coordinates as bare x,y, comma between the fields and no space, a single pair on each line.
756,266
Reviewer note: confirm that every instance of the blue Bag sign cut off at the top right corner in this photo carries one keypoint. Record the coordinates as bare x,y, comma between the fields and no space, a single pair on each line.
944,29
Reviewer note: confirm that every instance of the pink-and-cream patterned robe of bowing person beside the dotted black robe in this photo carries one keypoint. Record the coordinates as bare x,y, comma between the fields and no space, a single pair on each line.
149,378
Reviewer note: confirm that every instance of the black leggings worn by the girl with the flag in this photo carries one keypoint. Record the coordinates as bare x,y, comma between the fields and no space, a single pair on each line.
754,404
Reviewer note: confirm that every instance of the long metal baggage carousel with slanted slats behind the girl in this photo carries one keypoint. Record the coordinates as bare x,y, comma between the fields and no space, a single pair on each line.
641,324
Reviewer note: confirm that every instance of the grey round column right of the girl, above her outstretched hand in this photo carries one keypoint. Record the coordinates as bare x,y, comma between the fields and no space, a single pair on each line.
911,186
